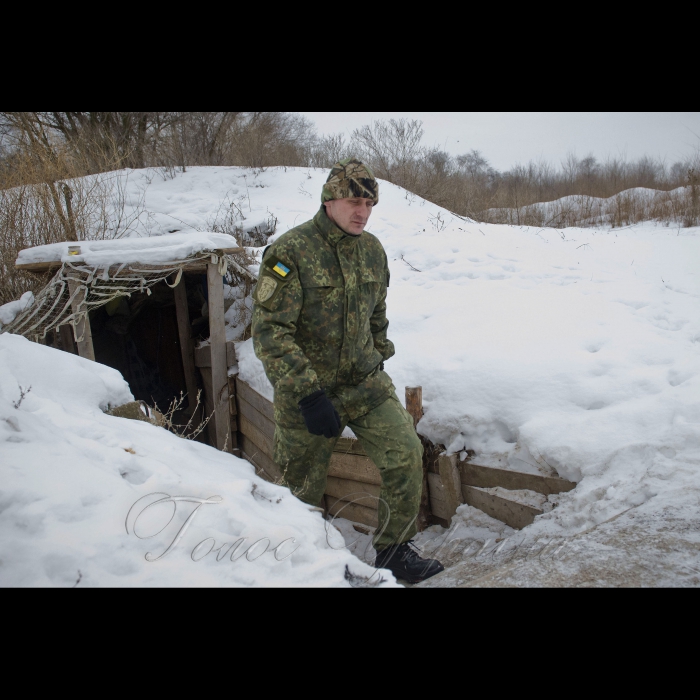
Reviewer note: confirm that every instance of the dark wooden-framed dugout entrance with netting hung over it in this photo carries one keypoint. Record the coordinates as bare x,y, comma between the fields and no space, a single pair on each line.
72,312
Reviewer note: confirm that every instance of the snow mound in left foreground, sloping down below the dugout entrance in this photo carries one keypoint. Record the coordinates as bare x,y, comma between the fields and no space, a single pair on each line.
88,499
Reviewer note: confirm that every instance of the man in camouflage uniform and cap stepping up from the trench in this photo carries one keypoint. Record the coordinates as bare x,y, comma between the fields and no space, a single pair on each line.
320,330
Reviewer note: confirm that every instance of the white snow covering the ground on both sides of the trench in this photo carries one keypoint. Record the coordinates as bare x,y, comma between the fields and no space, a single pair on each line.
573,351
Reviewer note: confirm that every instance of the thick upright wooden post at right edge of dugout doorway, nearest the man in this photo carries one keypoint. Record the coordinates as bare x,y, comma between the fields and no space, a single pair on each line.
219,370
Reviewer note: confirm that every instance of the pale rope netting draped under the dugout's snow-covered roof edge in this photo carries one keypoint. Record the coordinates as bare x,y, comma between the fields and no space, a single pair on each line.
77,289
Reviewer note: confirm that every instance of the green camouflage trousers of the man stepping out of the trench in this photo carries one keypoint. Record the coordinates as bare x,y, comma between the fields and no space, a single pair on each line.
389,438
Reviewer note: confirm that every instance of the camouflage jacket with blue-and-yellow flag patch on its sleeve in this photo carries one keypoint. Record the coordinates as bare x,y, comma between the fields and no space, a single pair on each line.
319,320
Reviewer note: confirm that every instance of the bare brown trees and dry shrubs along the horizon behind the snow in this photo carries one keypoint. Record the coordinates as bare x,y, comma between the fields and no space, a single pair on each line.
43,155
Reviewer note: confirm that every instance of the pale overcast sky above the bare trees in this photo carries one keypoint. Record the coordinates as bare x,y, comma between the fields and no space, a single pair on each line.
508,138
